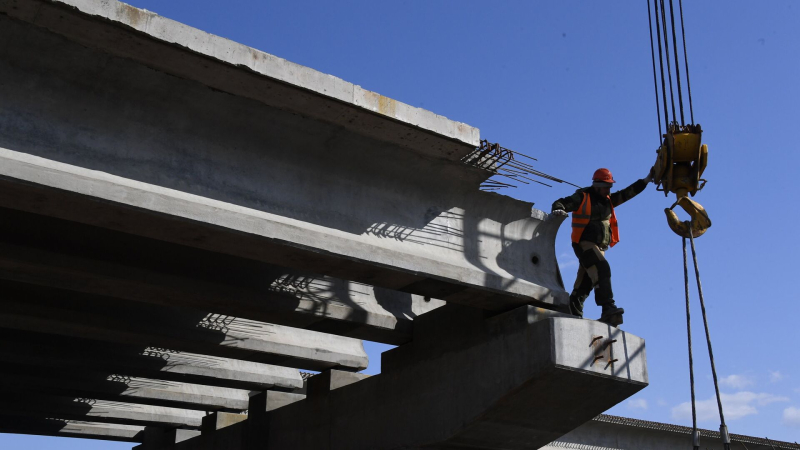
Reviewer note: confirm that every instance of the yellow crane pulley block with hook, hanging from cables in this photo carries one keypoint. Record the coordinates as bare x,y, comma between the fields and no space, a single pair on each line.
679,169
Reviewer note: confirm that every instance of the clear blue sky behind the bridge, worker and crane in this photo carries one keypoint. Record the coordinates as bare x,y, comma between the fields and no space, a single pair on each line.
571,84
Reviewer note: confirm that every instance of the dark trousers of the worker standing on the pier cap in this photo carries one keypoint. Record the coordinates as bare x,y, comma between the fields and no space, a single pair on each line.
593,273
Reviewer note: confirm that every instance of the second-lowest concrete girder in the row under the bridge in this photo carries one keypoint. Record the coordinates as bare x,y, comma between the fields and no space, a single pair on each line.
28,404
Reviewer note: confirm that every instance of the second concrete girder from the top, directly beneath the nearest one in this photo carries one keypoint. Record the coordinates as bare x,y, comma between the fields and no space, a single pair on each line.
68,255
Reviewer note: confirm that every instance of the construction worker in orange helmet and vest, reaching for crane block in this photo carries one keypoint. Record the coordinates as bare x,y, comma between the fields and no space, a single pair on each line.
594,230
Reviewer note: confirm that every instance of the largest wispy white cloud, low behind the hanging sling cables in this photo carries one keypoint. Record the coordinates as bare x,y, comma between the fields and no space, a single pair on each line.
736,406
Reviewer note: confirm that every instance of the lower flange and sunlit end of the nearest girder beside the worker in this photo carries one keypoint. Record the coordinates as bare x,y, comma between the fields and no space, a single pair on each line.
471,278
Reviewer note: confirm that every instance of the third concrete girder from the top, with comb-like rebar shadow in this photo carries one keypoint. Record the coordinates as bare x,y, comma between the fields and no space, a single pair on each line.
64,313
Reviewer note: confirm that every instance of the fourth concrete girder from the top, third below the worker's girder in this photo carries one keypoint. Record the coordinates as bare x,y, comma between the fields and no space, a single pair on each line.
68,354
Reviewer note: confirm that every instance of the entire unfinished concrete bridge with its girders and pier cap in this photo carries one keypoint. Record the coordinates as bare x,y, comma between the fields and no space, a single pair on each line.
186,224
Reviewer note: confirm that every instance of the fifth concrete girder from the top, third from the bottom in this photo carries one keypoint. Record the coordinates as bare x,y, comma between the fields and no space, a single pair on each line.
123,388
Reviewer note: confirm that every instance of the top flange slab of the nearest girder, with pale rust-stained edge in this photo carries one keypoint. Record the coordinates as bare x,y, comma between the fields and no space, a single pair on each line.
227,66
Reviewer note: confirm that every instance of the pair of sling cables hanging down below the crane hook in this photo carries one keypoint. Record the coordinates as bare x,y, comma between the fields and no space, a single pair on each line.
723,429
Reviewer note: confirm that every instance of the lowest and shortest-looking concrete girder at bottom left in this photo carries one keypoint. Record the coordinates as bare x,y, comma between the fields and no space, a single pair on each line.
70,428
